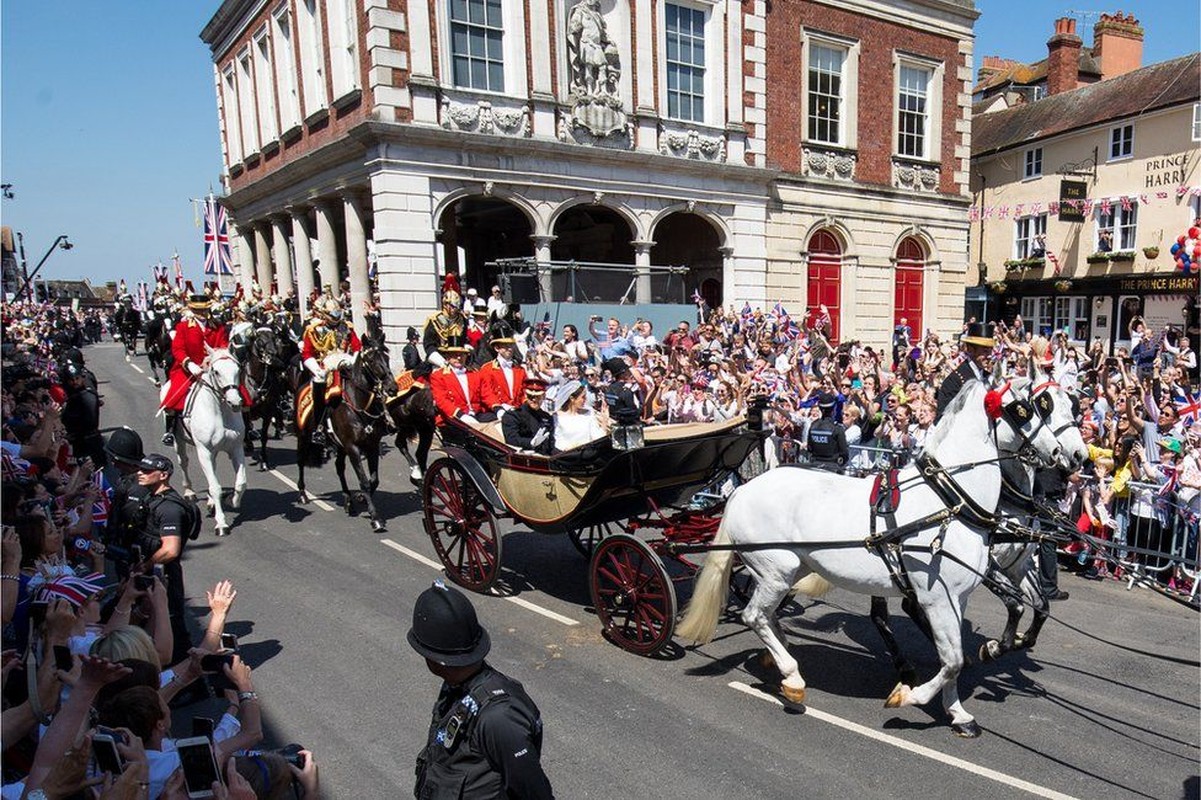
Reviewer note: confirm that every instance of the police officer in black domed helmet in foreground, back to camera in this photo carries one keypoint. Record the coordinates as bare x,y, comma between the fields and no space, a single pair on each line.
486,735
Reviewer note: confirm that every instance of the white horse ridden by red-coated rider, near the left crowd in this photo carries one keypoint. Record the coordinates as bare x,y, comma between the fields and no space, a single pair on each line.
213,423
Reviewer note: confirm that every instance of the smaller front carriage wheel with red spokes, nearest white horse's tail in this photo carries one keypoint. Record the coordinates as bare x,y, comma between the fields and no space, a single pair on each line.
634,594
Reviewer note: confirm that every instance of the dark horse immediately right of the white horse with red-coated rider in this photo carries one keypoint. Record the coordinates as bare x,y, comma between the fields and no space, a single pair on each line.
266,363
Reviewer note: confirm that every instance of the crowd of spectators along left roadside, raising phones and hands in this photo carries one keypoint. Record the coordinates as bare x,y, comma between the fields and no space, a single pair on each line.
101,698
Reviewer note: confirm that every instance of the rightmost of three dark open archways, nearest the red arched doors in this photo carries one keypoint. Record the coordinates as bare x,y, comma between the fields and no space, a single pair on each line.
684,240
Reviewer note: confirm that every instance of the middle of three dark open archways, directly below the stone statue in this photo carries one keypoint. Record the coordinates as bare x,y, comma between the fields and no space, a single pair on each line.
600,241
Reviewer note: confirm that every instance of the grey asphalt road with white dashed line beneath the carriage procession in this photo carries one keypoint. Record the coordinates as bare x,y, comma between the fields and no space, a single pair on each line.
324,606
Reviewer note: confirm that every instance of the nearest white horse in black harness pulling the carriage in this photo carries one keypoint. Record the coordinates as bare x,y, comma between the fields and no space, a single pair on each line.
824,522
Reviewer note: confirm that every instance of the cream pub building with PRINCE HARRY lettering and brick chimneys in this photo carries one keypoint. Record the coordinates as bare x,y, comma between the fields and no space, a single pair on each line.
1083,182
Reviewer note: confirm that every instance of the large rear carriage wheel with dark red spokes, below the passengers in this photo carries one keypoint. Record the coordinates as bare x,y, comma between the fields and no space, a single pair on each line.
462,527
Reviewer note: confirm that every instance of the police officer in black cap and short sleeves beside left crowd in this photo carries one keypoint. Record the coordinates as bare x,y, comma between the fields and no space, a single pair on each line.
169,524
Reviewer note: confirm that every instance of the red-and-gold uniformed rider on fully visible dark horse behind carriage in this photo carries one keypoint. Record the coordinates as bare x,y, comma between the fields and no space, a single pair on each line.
330,344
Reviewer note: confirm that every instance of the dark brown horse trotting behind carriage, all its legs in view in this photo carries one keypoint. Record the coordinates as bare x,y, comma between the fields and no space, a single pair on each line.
358,422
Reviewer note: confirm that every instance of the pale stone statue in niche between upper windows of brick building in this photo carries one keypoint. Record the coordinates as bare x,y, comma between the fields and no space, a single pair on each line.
595,71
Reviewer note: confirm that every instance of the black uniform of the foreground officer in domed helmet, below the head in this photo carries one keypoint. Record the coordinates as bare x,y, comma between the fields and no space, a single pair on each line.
485,743
